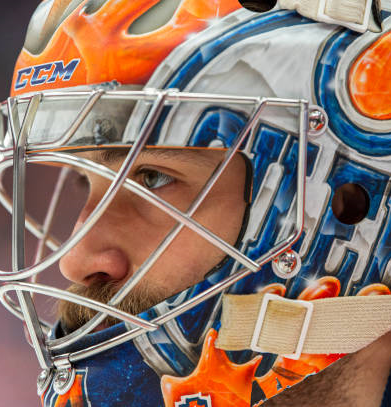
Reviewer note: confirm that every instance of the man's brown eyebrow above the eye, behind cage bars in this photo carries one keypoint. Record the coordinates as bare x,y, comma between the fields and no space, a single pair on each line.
198,157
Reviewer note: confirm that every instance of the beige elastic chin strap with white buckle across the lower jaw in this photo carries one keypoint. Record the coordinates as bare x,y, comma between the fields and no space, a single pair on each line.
268,323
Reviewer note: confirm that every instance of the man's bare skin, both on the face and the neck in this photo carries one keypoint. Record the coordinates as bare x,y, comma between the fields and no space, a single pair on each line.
131,229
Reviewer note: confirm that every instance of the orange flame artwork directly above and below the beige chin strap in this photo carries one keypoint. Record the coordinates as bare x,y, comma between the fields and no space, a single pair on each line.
230,384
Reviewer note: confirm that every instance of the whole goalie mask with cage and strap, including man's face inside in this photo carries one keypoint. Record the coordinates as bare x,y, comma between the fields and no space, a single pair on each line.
281,123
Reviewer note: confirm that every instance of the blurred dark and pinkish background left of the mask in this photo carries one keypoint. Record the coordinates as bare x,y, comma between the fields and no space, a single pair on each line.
19,365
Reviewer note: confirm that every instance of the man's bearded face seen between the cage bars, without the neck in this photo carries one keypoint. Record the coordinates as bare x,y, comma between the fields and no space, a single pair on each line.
131,228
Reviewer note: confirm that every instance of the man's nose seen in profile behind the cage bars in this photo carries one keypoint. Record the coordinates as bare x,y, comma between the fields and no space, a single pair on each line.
97,255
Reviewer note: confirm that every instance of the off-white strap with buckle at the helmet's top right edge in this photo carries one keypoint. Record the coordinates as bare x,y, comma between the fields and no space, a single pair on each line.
354,14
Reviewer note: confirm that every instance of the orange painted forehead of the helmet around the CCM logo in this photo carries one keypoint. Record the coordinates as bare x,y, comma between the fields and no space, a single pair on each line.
107,52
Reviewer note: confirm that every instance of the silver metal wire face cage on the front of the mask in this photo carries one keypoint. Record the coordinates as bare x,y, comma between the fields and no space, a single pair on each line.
16,150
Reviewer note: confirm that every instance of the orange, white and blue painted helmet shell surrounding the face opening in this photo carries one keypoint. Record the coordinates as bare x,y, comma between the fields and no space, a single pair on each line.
220,48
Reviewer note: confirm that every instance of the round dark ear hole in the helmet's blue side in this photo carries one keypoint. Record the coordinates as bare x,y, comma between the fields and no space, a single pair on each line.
350,203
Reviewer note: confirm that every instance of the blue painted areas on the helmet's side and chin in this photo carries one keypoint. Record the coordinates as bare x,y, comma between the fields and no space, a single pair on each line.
120,376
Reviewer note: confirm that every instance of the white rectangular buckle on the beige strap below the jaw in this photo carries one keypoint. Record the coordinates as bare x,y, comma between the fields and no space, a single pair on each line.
261,318
